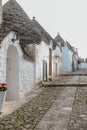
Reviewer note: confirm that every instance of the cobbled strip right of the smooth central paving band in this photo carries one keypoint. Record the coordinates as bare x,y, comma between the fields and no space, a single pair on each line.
78,119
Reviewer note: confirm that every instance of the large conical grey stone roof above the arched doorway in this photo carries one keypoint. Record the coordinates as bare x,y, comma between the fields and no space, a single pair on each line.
15,19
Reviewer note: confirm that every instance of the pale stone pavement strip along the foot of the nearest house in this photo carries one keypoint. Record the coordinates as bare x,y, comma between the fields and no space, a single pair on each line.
10,106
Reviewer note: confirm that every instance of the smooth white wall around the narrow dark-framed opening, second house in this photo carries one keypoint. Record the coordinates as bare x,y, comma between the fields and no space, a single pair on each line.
41,53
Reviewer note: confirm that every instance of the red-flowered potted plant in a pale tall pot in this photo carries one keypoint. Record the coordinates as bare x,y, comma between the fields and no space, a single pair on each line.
3,91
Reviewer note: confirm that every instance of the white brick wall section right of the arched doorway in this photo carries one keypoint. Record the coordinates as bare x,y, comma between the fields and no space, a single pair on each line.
26,75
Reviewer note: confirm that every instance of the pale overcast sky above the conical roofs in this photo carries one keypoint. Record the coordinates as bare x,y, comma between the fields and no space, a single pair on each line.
68,17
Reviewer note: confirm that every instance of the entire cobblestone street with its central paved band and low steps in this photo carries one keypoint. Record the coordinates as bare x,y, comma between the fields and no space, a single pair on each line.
54,108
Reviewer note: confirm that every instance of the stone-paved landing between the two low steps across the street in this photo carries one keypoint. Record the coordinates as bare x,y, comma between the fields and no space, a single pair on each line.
76,80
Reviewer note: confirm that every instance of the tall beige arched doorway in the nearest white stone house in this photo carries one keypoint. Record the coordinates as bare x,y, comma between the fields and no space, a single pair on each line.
12,73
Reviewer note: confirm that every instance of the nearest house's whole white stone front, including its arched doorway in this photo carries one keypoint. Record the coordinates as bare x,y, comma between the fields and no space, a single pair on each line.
17,72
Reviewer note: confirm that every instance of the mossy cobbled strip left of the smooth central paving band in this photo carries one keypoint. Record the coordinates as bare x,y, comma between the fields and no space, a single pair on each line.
27,116
